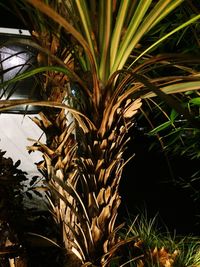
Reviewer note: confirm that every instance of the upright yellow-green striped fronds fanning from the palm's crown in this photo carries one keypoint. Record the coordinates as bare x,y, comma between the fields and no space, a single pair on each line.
119,37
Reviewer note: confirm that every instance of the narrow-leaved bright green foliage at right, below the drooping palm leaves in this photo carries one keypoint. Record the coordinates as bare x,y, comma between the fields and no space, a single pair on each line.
175,134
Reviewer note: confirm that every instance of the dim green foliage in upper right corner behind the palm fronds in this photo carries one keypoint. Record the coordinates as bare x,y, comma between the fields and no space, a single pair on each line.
184,41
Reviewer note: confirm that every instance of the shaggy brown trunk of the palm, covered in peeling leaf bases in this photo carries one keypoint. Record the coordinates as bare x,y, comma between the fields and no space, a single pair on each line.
83,172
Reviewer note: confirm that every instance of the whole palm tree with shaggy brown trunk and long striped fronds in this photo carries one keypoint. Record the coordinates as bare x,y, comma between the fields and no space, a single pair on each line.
94,66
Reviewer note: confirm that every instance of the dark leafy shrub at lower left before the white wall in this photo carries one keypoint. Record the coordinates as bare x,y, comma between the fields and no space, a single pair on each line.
17,222
